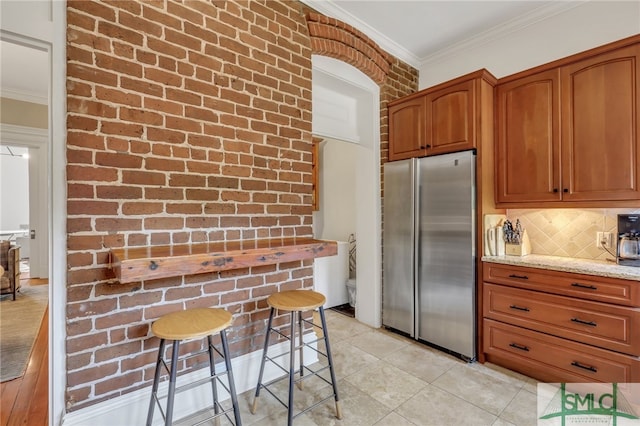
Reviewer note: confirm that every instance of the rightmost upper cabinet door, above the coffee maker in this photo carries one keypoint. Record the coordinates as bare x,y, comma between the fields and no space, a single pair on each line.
600,115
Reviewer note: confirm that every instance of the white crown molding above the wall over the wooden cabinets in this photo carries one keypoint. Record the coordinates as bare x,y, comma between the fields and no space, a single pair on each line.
502,30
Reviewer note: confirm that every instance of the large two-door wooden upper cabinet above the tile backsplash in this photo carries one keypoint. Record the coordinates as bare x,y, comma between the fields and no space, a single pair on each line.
567,133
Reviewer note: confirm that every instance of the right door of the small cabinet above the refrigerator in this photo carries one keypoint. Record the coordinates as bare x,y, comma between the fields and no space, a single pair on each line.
451,118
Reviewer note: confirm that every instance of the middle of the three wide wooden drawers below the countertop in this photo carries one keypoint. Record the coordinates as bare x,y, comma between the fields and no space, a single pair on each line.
600,324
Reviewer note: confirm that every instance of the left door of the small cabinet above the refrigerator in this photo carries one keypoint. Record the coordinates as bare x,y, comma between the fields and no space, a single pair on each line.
407,129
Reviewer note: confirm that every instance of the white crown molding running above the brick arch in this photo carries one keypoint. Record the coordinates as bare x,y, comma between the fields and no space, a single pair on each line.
329,8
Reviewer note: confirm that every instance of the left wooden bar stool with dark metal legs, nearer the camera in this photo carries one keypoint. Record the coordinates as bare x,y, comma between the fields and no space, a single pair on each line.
187,325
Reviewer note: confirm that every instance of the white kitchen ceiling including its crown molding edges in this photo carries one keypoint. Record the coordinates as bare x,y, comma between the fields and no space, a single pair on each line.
418,30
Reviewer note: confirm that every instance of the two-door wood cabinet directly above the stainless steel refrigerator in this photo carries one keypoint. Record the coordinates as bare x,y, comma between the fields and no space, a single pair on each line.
444,118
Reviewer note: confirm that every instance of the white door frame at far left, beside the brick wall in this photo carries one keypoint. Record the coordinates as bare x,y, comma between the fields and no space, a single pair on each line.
42,25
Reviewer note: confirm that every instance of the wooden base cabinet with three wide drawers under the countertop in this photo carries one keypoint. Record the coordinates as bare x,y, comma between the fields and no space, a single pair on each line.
559,326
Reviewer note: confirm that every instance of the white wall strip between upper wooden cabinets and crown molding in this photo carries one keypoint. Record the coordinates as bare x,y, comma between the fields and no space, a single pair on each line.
515,48
